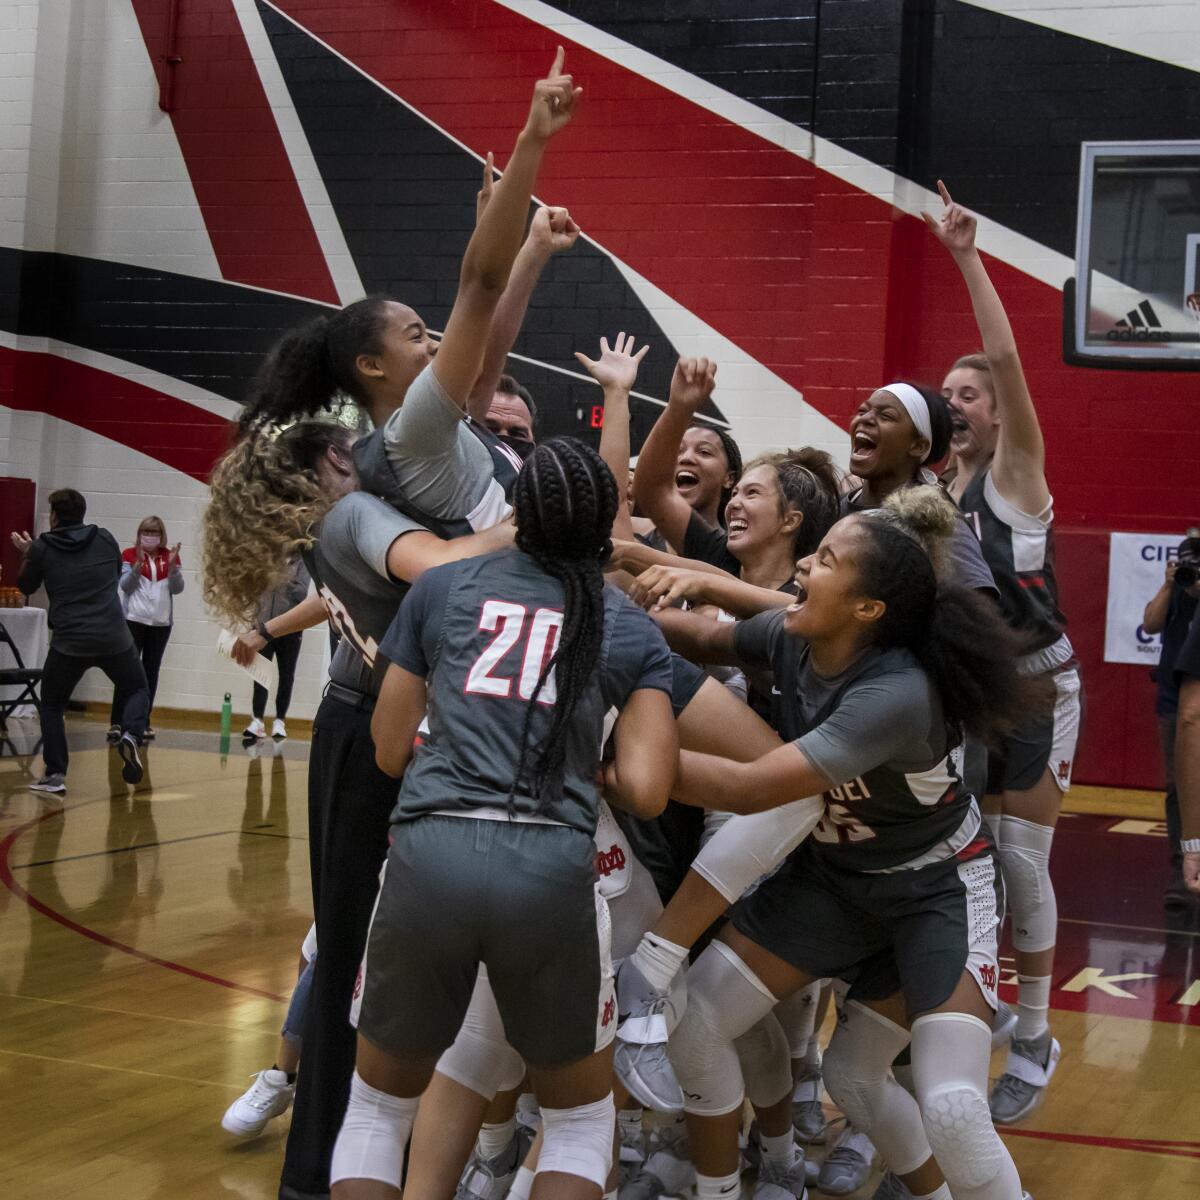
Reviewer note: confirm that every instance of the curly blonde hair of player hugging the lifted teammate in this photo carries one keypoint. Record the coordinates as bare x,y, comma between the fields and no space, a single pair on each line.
266,501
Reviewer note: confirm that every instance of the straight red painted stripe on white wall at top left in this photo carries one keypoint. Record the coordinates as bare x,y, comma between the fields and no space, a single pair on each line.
257,219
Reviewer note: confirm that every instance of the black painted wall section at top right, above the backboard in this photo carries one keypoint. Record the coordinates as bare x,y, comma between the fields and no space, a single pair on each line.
994,105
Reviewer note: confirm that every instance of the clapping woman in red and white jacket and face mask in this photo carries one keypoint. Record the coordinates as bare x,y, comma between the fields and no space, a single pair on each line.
152,578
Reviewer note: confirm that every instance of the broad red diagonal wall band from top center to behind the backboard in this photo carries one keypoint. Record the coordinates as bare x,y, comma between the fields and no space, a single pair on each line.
830,287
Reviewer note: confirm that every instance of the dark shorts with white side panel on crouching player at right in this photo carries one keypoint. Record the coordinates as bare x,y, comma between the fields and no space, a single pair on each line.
898,932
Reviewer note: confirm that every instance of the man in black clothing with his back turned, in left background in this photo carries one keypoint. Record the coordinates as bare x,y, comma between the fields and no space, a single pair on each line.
80,566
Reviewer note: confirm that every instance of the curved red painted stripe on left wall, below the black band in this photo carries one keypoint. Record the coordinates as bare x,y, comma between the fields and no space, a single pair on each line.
175,433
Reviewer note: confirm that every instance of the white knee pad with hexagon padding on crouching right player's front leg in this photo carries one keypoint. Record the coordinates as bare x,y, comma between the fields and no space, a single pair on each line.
950,1066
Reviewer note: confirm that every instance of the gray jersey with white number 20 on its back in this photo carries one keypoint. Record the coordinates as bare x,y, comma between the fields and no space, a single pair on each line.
482,631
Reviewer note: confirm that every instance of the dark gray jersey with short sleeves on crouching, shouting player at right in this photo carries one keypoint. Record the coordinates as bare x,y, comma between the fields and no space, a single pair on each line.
878,735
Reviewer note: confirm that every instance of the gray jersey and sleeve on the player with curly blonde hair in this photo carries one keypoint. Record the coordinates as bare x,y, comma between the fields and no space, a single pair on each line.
350,566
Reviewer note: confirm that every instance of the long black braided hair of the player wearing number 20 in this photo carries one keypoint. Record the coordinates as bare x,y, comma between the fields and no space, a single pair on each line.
566,501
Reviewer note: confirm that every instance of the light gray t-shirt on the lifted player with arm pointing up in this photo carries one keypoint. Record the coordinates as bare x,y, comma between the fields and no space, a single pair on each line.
440,466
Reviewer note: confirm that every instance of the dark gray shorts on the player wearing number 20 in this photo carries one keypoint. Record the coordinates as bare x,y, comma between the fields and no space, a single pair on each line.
520,898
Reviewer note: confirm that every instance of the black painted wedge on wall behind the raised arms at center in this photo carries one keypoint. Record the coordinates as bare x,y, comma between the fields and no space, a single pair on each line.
405,197
